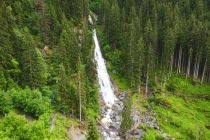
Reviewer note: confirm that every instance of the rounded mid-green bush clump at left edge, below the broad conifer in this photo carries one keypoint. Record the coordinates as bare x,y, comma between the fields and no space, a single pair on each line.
29,101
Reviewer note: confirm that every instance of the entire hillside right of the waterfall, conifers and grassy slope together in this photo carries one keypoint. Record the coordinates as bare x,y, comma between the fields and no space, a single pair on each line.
160,52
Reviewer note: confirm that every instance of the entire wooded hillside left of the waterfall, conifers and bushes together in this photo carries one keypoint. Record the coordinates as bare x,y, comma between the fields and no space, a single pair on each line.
46,66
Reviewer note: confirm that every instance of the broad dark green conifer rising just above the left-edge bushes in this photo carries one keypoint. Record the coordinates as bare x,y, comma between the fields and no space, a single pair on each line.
33,67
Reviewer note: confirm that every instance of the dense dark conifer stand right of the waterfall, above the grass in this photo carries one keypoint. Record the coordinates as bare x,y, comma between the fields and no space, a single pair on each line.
150,35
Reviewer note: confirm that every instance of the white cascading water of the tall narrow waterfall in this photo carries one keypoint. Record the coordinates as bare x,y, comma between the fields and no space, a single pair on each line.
105,84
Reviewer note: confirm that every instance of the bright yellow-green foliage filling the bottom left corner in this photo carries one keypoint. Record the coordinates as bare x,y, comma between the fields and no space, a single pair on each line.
14,126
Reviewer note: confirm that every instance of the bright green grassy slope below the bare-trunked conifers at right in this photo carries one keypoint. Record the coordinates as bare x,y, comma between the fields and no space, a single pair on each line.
186,116
